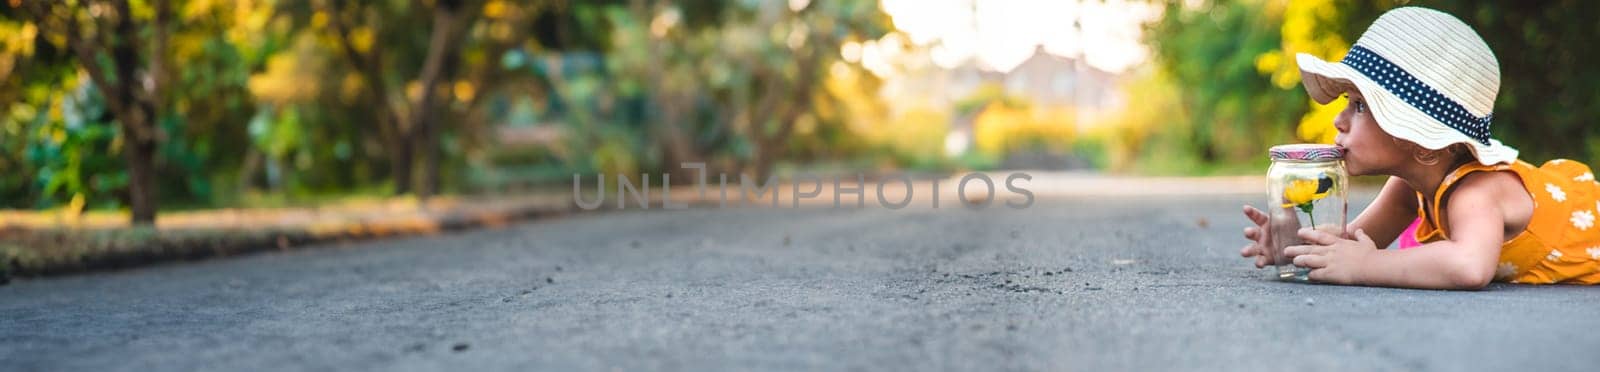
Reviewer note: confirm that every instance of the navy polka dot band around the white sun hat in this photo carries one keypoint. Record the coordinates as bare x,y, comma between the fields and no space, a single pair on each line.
1417,94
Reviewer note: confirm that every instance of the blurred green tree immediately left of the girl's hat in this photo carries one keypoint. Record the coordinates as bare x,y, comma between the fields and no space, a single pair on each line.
1228,113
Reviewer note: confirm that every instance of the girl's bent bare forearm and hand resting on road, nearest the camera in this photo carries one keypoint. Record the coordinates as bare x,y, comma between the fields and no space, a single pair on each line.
1468,261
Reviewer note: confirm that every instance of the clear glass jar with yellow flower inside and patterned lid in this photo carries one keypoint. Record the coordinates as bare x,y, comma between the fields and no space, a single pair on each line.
1306,187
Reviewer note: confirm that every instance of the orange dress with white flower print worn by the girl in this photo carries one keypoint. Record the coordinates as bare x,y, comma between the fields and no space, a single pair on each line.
1562,241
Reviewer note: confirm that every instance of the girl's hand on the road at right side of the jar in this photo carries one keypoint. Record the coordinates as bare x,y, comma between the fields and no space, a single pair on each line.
1332,259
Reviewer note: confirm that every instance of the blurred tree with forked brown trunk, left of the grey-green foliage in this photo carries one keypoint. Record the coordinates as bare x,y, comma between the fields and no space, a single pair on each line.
348,99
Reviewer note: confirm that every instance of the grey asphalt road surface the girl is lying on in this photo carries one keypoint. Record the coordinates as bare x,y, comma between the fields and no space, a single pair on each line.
1070,285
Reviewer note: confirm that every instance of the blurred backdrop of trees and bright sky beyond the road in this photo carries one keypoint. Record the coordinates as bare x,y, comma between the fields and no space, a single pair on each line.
114,107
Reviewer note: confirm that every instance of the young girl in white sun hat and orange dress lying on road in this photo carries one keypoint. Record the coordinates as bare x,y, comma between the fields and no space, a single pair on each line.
1422,89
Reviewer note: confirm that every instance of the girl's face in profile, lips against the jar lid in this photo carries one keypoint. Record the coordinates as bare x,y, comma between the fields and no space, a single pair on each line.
1369,148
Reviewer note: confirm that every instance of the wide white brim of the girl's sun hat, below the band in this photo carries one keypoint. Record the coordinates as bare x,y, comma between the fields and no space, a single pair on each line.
1327,81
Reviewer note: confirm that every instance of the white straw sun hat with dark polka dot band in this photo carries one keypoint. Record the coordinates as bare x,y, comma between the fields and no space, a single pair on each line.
1428,78
